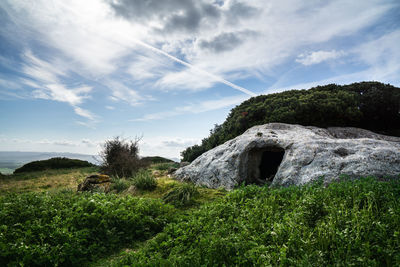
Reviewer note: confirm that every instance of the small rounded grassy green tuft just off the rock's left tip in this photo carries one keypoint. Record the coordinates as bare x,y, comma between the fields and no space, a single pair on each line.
182,195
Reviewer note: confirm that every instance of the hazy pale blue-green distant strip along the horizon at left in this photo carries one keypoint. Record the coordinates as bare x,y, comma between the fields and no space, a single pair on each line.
11,160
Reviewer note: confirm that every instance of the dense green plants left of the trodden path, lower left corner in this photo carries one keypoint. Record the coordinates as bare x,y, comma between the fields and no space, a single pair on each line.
69,229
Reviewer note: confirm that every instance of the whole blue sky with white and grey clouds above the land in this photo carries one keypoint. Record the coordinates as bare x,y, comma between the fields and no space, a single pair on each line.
76,73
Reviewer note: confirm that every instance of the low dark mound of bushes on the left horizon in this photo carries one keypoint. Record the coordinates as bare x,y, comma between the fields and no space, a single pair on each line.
53,163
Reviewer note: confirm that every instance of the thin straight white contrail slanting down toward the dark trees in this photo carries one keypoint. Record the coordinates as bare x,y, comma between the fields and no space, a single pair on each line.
213,76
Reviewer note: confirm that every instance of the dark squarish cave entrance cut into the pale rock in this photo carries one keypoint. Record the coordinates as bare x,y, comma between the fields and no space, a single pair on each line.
263,163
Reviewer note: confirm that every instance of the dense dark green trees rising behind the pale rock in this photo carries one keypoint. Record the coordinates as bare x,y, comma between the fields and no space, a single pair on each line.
369,105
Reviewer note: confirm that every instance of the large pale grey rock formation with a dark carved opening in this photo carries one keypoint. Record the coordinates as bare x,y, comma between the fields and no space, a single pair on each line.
285,154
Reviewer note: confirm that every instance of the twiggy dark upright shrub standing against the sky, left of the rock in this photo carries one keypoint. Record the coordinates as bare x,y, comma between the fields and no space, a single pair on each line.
121,157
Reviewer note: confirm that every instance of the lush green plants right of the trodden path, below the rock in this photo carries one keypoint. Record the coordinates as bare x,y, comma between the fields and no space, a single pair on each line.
345,224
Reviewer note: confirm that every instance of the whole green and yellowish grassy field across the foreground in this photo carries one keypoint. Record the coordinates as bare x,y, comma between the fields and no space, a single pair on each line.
43,221
